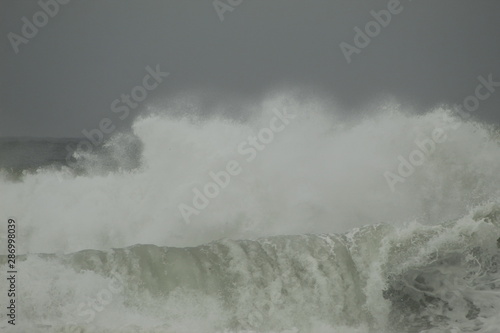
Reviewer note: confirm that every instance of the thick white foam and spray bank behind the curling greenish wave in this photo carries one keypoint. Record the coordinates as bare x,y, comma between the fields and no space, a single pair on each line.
320,174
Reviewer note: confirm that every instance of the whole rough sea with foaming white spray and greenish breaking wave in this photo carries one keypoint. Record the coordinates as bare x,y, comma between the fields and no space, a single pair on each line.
308,237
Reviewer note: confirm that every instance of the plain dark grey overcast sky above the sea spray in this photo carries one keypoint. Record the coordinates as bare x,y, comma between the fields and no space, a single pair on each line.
65,78
